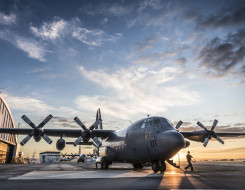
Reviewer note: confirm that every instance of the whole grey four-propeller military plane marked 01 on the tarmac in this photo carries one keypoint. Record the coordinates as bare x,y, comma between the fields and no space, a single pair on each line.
150,140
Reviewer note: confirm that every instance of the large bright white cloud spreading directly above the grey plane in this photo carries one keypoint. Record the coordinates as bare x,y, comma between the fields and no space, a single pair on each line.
136,91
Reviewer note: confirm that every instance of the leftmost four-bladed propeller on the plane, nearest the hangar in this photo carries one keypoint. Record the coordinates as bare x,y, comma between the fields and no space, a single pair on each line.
37,131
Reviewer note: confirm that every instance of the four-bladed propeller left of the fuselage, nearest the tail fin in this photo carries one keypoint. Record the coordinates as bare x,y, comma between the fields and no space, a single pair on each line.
86,134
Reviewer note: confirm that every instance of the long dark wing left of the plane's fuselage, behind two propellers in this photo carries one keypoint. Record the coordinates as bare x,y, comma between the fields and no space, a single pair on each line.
102,133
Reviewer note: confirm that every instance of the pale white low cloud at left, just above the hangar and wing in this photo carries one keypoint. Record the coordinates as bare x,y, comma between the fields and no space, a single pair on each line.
27,104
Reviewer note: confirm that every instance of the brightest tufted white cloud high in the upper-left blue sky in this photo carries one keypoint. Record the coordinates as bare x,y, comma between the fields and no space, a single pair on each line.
52,30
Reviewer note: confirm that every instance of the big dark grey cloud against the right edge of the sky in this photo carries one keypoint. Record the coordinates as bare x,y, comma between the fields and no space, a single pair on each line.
223,57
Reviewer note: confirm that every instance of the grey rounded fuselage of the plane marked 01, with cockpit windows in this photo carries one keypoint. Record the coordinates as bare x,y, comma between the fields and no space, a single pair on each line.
147,140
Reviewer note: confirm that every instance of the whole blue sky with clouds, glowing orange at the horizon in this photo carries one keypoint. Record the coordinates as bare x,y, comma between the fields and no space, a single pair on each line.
183,60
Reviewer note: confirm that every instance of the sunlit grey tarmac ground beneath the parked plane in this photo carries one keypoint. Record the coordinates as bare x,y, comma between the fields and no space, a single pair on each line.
71,175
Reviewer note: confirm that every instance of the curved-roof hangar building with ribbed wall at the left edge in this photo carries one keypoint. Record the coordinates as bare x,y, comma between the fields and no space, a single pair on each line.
8,142
